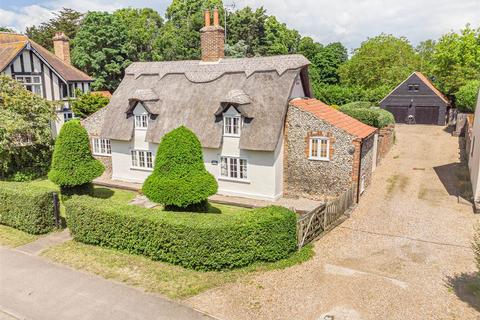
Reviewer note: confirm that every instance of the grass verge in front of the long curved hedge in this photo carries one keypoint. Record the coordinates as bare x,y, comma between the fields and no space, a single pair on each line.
172,281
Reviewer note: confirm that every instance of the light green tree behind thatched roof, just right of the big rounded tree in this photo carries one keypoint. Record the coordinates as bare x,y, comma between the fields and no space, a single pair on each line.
143,29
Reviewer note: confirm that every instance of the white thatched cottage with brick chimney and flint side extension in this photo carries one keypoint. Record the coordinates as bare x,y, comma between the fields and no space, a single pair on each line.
238,109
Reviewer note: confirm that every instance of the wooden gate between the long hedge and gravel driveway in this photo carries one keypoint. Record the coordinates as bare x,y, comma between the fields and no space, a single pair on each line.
324,217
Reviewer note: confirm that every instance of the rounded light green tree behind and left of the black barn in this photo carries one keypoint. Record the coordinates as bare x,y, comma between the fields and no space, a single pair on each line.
381,60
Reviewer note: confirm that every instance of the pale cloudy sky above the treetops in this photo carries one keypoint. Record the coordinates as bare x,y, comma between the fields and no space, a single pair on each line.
347,21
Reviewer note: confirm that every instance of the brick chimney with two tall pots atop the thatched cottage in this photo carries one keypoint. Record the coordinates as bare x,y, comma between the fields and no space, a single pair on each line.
212,38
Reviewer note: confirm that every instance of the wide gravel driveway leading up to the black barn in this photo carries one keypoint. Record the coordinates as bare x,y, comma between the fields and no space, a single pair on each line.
404,254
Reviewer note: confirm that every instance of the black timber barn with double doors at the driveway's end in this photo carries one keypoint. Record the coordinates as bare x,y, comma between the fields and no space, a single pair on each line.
416,100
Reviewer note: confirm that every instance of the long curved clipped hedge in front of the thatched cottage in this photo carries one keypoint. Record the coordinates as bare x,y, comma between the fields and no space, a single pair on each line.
192,240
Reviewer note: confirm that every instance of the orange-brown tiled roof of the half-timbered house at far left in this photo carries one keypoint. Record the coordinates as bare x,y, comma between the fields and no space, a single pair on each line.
12,44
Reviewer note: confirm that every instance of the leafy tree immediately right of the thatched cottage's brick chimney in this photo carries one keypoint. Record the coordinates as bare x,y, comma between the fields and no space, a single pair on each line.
248,26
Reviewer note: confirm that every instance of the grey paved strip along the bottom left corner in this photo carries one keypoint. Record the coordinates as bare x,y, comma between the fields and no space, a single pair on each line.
32,288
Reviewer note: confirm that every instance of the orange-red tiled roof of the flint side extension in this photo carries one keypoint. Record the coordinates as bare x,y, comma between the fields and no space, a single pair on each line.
334,117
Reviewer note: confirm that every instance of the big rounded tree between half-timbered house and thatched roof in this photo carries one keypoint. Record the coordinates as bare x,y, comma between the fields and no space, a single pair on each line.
101,49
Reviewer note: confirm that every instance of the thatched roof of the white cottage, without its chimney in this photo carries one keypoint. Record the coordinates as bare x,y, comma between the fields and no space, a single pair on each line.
190,93
